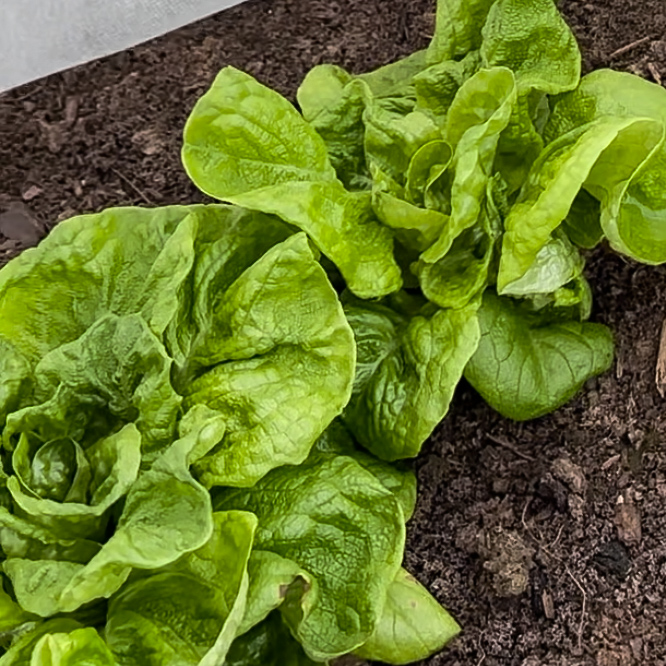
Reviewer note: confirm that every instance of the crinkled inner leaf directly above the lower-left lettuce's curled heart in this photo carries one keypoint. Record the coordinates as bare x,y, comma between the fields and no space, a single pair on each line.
117,371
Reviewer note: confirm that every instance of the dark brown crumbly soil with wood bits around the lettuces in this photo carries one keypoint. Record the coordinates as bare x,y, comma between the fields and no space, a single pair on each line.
547,540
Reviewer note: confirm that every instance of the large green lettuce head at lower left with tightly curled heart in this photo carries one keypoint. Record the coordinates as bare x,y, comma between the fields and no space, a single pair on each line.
168,379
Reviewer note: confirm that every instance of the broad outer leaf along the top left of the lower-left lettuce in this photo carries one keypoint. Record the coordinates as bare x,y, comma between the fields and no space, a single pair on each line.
121,261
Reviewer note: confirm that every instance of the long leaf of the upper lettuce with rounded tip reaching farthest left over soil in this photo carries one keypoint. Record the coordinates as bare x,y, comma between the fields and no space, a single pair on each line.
229,154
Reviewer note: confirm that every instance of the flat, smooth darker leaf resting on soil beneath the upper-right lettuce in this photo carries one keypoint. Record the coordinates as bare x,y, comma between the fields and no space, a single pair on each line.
526,366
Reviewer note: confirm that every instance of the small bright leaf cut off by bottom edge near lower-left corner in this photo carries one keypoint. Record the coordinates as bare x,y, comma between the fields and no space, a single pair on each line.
82,647
